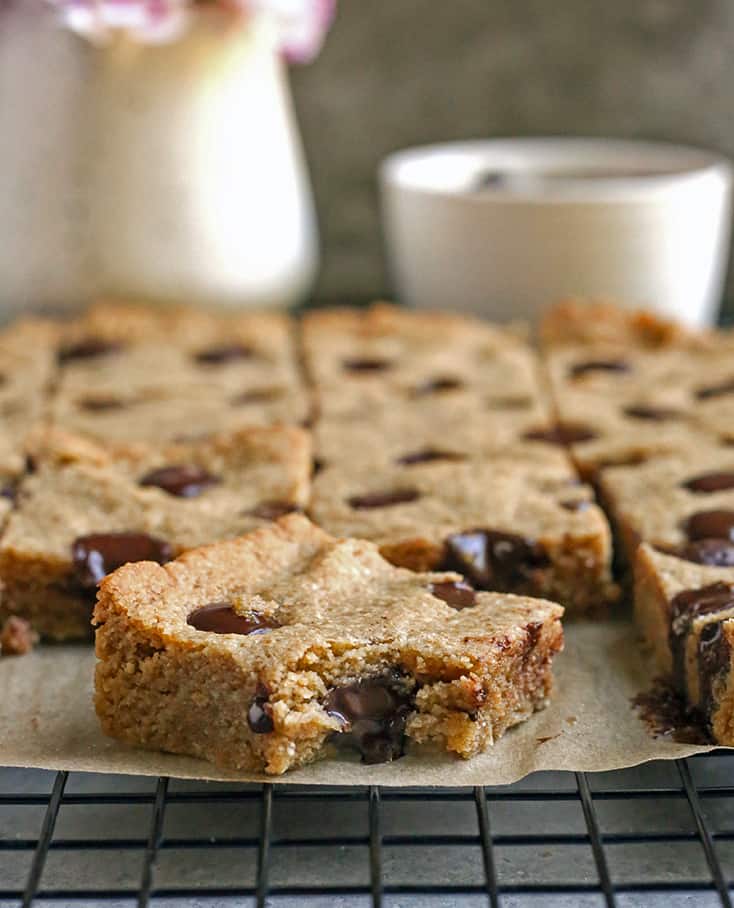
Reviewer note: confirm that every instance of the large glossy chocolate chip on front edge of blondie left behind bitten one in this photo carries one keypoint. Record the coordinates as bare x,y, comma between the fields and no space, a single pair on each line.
97,554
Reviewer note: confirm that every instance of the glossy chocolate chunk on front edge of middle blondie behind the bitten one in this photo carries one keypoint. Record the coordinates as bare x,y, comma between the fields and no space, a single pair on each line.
493,560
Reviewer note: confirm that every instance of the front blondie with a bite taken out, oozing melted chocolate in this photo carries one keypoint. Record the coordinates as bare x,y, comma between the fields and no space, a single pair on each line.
268,651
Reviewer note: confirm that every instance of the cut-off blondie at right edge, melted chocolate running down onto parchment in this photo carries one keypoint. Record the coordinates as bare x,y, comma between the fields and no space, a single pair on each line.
686,611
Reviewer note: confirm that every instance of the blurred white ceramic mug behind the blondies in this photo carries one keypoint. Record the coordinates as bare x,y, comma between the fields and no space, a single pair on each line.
503,227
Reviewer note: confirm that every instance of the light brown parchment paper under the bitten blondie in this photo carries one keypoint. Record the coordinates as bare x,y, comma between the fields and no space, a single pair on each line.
47,721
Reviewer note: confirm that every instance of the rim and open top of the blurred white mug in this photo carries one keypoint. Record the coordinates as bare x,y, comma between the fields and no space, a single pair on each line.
668,167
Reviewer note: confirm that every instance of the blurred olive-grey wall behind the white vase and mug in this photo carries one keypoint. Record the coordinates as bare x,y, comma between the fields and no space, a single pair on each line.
401,72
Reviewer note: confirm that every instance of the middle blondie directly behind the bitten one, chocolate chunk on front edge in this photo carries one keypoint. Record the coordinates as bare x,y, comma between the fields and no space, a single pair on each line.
510,524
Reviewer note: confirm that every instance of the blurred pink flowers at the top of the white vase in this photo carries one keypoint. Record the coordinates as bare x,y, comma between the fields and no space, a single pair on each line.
302,24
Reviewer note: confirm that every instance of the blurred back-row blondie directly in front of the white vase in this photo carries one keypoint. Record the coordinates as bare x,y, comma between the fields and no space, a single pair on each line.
151,375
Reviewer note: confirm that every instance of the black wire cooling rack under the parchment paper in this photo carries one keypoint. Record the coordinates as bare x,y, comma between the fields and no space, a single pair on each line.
656,835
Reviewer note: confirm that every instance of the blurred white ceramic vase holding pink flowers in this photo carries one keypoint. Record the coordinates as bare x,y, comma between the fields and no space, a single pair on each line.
189,182
